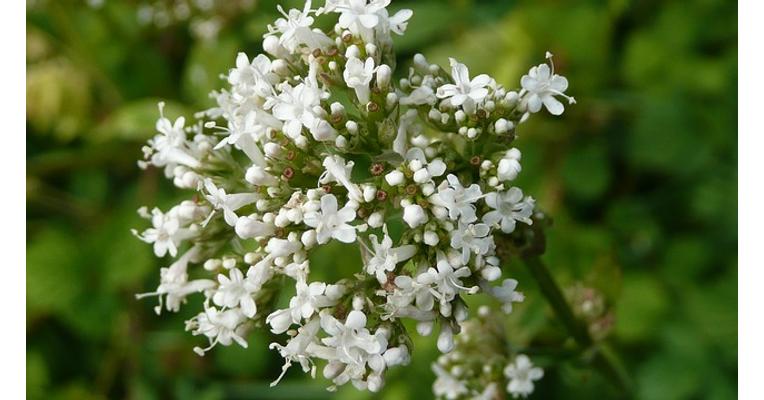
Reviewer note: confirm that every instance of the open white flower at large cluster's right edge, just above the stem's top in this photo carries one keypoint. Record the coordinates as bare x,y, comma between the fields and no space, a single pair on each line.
508,207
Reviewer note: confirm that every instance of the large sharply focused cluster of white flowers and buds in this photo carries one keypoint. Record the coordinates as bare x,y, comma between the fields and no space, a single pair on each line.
315,142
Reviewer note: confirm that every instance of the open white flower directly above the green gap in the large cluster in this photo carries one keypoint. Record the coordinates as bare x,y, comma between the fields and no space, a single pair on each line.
331,222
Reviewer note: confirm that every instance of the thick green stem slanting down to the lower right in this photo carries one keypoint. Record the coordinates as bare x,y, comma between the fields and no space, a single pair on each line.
603,357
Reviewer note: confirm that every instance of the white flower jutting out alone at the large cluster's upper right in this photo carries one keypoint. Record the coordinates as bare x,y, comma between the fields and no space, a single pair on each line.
541,85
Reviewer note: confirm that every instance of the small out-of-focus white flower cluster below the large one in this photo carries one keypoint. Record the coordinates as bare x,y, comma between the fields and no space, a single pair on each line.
479,366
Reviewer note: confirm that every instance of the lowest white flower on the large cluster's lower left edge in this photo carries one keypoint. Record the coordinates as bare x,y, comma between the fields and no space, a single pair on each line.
222,327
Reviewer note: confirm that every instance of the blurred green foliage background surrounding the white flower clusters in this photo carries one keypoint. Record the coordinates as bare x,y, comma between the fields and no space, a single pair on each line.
640,177
